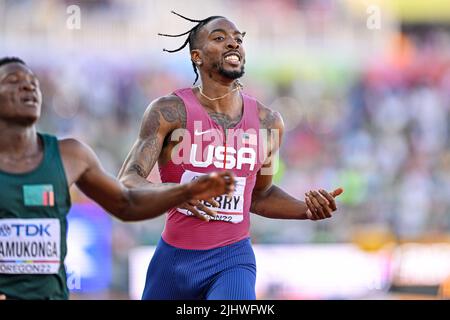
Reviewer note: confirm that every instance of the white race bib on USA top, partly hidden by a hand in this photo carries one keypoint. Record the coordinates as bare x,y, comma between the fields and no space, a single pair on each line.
231,208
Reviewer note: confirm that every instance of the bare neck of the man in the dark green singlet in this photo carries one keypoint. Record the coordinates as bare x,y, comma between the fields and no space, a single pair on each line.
18,139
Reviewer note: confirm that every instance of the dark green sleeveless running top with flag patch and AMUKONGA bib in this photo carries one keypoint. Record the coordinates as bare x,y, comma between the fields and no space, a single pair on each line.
33,227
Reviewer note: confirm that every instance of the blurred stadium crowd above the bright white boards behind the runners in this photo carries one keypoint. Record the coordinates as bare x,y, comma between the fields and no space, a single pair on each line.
365,109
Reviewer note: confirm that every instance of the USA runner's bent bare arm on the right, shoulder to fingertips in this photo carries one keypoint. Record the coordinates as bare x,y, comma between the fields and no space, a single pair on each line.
271,201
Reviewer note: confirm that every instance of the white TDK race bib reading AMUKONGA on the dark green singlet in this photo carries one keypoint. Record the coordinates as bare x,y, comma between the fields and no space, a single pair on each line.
30,246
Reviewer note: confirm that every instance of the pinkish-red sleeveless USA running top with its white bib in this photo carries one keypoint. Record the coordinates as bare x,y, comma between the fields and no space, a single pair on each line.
207,147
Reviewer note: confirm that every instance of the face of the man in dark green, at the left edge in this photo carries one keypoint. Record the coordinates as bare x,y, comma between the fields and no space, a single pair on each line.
20,95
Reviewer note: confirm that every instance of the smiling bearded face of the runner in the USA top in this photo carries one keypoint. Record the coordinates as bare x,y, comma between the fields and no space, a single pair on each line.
220,49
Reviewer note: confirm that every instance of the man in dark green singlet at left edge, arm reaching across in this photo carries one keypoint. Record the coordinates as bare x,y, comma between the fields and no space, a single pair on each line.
36,172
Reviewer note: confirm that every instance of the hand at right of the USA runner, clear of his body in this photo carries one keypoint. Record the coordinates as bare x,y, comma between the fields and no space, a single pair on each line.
321,204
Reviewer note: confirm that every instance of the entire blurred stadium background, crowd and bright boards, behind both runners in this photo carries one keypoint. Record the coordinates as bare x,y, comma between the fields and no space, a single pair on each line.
364,90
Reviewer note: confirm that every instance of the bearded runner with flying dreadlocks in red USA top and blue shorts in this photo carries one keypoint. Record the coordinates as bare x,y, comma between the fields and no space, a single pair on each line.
203,255
